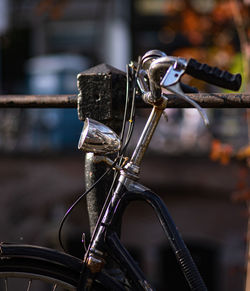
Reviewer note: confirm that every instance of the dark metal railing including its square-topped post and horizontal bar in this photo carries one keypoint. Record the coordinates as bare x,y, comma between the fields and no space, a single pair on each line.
101,88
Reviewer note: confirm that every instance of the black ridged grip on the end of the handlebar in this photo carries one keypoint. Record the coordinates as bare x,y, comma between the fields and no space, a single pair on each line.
213,75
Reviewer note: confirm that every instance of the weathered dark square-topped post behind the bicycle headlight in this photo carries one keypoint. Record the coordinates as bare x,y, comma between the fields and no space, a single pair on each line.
101,97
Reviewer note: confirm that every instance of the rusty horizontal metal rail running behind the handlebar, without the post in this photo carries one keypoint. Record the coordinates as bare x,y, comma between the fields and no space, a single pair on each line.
205,100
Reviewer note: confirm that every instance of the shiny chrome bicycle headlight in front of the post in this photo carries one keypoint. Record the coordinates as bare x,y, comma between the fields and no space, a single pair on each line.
98,138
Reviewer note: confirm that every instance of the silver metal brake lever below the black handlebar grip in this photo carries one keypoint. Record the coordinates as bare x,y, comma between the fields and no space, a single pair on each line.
171,82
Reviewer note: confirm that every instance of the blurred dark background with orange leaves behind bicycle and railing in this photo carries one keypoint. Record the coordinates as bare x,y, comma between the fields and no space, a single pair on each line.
44,44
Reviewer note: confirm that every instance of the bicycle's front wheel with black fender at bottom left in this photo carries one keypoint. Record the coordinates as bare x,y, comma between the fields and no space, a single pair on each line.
24,267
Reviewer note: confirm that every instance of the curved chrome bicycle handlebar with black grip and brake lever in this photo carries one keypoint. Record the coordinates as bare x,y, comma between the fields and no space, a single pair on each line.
159,71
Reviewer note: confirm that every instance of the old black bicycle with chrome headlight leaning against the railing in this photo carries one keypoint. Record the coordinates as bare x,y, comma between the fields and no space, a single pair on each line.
147,80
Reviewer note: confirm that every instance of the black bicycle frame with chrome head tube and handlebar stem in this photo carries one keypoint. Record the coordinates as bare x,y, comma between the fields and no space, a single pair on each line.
106,240
